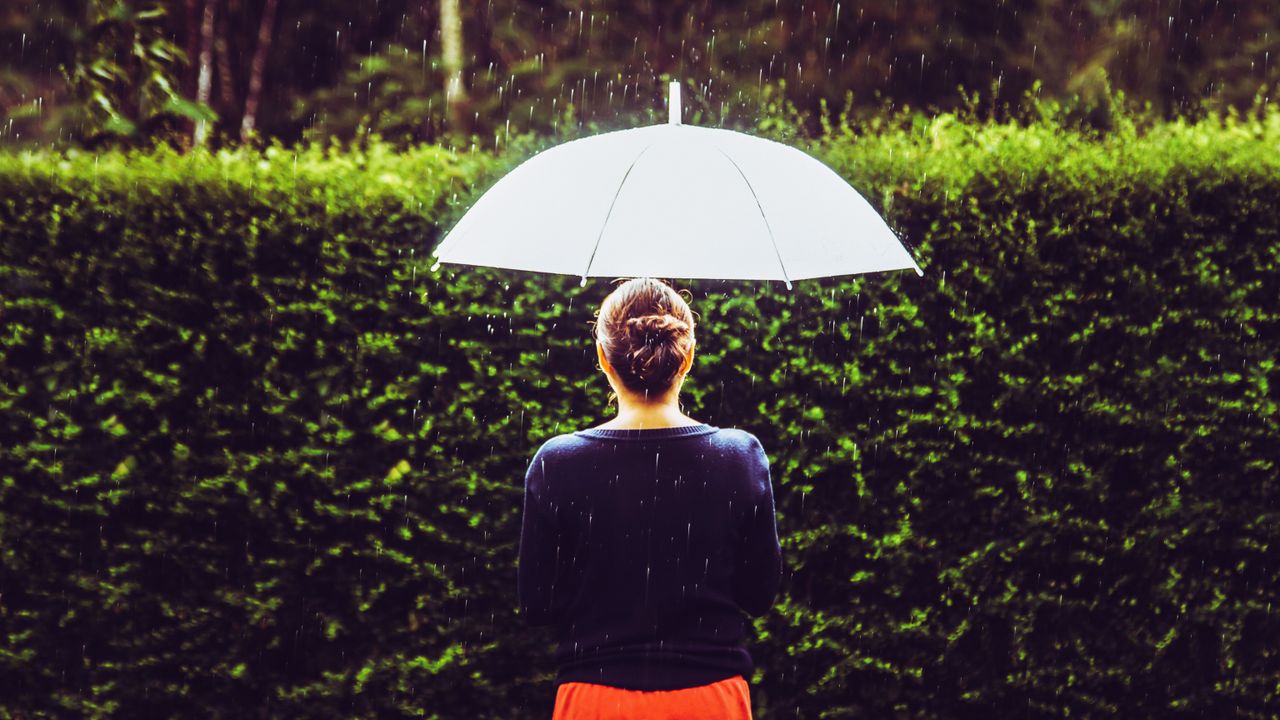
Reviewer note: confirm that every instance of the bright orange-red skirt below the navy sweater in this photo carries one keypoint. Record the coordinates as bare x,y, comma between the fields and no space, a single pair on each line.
725,700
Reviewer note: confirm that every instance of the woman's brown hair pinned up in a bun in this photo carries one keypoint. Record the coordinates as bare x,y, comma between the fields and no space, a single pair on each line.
647,332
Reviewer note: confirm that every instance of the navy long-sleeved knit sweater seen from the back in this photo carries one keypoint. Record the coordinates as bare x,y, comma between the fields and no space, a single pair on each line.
644,548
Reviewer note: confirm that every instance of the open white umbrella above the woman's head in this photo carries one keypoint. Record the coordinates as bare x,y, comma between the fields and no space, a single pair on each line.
676,202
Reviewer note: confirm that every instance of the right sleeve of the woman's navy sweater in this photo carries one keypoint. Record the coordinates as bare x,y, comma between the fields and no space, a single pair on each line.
758,571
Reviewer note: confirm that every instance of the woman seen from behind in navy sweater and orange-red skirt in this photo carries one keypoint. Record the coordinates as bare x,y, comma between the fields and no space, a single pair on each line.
646,539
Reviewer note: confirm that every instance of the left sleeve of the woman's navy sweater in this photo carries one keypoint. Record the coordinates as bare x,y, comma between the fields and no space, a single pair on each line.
540,540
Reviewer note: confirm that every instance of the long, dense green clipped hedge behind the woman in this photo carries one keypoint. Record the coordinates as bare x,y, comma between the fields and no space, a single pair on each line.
257,461
